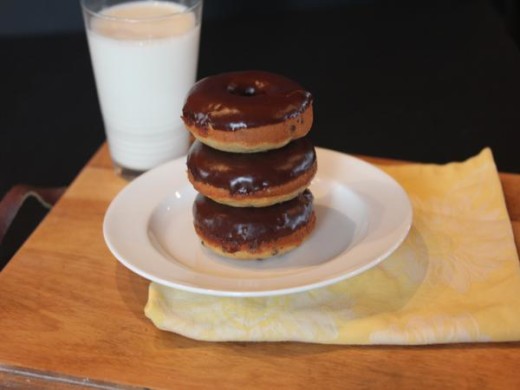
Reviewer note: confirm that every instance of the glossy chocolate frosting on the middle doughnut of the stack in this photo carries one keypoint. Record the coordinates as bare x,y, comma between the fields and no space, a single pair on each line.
246,173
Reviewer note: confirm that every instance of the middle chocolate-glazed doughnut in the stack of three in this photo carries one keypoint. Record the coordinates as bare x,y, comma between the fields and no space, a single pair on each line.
252,179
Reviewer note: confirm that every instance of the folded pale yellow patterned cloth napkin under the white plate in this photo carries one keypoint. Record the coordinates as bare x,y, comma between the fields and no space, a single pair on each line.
456,278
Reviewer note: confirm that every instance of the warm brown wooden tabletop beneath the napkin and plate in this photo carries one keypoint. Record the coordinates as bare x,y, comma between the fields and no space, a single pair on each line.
72,317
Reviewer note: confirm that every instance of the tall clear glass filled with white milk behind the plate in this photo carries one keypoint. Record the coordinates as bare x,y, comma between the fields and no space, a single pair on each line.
144,55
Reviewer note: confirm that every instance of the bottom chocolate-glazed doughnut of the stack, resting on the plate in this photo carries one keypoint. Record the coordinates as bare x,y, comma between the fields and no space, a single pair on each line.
251,232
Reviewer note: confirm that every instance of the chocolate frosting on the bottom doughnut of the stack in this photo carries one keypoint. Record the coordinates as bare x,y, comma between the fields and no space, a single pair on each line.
235,226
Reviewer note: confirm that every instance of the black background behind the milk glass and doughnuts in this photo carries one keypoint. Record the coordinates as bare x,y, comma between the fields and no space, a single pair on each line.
429,81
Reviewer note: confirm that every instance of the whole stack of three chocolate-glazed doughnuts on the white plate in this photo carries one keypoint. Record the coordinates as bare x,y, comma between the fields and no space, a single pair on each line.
251,163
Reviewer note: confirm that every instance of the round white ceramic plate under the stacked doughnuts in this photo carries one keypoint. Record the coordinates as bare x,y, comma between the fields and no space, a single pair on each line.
363,215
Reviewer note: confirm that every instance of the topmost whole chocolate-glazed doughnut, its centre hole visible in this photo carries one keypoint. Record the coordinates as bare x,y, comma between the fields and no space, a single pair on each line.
246,112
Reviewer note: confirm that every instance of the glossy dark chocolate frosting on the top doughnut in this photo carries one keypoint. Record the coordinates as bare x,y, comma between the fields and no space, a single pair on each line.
239,100
